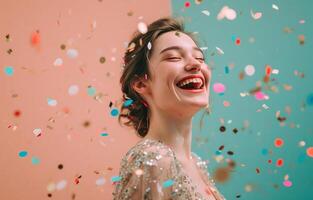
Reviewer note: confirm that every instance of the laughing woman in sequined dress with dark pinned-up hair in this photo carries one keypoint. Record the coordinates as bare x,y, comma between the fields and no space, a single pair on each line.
166,81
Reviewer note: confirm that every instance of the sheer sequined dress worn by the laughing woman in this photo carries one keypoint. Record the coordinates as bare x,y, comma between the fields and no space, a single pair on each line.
151,171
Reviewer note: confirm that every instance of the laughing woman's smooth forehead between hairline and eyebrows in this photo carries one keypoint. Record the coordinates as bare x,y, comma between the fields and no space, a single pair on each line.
173,38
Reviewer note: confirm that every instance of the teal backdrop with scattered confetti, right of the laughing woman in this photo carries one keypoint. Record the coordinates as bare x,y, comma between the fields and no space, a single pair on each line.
257,133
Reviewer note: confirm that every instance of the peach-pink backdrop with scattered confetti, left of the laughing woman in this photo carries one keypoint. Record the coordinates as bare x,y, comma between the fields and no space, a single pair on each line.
58,135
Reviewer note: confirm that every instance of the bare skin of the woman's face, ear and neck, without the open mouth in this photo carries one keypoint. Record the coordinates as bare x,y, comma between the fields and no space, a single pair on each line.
171,108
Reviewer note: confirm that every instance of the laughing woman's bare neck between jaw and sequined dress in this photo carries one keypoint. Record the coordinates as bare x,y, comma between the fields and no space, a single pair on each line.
175,133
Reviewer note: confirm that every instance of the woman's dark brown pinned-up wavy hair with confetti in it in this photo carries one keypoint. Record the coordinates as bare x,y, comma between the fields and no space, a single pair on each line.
136,66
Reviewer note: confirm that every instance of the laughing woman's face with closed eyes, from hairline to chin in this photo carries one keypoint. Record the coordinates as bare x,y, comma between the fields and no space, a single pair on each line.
174,57
